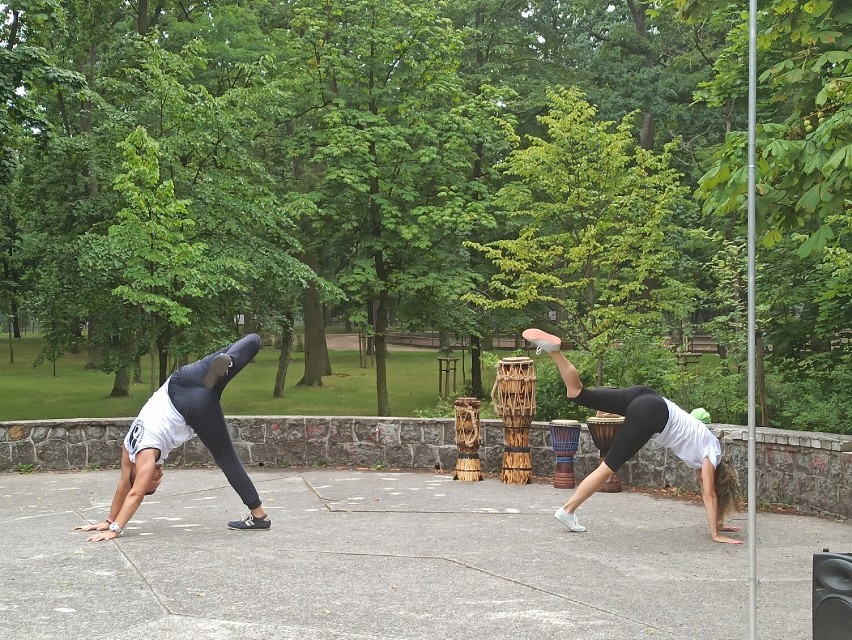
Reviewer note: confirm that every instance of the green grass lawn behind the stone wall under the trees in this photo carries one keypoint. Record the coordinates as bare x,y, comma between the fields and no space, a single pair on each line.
28,393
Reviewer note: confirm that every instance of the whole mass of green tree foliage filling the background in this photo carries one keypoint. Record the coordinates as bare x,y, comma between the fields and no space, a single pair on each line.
167,169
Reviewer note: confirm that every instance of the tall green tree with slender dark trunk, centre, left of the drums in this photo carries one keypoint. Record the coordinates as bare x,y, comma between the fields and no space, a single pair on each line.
392,149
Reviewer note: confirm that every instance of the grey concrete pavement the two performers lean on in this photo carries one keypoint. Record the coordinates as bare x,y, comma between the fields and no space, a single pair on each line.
389,555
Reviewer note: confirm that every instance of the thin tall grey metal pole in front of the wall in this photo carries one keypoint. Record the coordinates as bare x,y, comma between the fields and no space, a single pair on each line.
752,457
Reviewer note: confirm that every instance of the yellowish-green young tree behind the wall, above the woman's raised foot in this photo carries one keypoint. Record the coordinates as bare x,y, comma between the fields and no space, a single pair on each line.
596,232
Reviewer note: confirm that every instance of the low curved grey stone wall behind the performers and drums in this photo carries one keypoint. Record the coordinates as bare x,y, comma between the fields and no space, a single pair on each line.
809,471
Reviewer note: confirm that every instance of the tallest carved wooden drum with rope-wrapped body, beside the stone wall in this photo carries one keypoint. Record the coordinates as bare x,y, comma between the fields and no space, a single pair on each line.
513,396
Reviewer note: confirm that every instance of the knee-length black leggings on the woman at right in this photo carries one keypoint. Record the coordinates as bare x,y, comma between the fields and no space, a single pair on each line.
645,413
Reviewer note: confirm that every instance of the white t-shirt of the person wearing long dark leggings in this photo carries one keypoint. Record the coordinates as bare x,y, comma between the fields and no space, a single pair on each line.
158,426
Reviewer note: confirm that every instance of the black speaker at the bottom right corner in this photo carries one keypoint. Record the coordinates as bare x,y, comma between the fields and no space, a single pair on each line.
832,611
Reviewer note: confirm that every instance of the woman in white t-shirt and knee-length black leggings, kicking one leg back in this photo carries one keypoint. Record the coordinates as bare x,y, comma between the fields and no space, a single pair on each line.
647,415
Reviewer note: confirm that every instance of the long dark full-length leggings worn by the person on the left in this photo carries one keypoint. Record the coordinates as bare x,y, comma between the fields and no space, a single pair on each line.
201,409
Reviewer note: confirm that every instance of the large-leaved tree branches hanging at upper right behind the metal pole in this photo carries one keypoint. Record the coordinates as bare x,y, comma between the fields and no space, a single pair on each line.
804,149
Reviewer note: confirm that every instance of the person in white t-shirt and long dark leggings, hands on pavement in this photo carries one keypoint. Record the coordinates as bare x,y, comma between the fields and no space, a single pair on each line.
188,404
